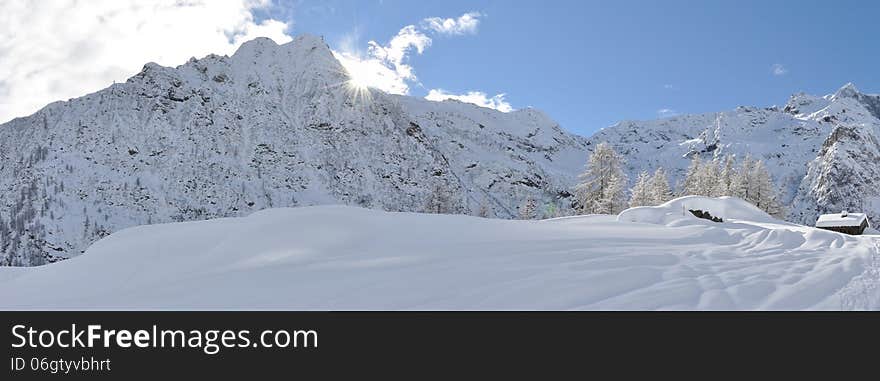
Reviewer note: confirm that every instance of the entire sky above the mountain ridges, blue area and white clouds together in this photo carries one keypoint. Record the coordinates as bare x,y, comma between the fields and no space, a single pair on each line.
588,64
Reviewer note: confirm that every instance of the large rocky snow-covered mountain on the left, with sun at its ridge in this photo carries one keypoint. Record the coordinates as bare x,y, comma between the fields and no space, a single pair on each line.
269,126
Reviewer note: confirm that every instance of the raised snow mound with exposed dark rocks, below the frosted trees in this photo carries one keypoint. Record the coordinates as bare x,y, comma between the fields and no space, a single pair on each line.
726,208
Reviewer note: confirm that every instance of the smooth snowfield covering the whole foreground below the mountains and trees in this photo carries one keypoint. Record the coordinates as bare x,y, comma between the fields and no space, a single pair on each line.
335,257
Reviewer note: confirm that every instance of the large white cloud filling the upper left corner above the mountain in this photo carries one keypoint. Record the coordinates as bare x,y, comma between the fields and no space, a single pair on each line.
54,50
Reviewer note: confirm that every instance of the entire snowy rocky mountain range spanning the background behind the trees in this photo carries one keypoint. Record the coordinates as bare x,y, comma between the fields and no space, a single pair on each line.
280,125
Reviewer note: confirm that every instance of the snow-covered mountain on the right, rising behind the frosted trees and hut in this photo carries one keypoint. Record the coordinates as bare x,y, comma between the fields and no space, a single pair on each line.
822,151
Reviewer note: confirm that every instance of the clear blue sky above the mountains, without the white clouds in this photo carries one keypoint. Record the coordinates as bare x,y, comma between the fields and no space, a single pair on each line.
589,64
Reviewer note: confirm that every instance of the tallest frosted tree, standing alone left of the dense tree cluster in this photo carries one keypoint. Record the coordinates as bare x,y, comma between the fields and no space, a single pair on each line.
602,187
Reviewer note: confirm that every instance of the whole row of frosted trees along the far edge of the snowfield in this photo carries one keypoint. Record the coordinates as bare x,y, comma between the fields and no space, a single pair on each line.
603,188
